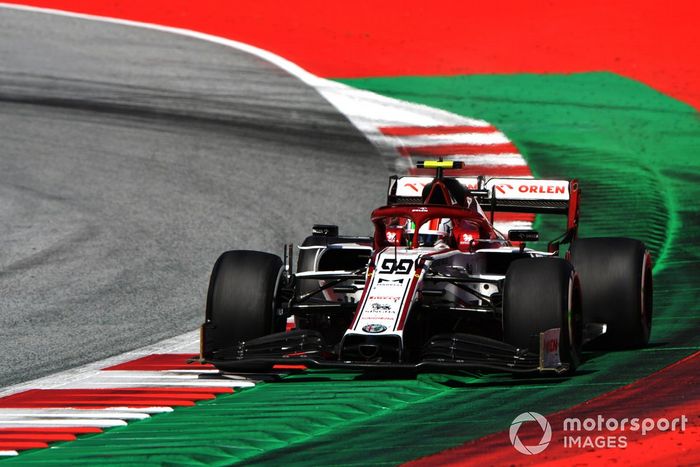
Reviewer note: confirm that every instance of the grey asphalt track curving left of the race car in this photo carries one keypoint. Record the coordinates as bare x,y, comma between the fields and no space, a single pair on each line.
129,160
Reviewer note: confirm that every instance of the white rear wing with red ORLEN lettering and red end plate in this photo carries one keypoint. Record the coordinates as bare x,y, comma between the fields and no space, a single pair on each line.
522,195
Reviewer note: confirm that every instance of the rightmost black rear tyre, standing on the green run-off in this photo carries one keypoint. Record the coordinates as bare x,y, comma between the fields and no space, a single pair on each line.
617,288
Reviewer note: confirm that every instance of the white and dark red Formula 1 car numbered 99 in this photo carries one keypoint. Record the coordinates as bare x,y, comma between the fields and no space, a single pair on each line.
436,287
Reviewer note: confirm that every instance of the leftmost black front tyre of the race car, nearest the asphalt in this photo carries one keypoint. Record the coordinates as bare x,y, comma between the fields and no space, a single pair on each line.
241,299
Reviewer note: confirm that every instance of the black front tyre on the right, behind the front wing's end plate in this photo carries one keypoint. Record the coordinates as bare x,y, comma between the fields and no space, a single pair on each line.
541,294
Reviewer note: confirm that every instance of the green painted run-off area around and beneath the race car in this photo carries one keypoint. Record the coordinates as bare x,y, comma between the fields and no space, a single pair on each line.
634,151
